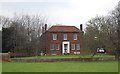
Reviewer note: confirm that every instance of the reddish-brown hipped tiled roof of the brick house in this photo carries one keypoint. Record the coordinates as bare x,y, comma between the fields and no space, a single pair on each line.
63,29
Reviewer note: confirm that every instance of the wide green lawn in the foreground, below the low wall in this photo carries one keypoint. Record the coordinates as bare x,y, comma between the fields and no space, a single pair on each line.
111,66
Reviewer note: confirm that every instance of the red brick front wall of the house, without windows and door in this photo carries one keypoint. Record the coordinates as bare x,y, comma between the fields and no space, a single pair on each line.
49,40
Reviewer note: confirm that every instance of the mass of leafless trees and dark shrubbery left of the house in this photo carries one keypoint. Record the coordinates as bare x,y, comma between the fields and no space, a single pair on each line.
21,33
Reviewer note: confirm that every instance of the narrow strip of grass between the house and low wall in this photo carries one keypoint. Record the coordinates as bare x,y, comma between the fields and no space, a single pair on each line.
71,56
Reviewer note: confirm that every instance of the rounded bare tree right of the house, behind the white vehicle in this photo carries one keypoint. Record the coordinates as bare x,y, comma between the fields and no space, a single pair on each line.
101,32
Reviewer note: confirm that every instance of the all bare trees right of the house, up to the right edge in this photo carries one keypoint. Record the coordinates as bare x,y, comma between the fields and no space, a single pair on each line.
102,32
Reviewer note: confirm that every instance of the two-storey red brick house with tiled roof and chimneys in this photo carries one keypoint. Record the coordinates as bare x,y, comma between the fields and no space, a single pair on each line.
59,40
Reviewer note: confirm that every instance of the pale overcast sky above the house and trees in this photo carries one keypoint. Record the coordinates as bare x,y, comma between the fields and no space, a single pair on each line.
66,12
